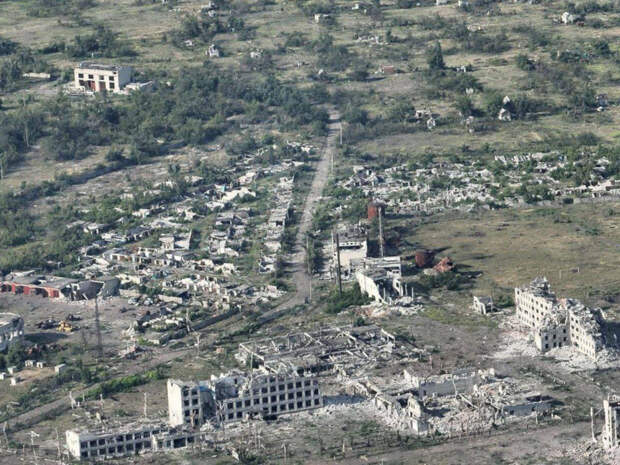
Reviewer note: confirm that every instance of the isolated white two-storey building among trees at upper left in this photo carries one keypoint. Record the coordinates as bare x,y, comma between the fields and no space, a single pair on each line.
94,77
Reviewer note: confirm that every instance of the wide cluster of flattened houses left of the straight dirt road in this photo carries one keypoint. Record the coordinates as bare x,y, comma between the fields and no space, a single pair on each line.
181,275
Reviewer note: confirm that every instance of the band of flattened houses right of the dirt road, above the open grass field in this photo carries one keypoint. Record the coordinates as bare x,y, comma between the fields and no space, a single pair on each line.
447,185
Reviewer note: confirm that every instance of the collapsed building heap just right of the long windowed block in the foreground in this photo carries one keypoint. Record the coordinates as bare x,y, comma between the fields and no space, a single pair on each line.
466,401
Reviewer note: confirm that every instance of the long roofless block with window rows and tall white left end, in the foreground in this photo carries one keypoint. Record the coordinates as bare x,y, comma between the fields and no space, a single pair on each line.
236,397
